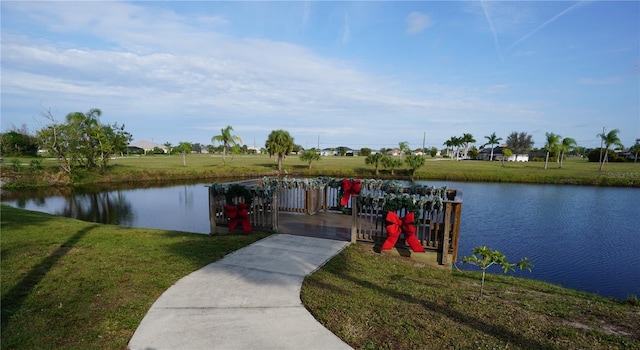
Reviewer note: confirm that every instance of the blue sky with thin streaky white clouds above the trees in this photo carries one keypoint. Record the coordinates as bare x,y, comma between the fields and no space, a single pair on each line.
357,74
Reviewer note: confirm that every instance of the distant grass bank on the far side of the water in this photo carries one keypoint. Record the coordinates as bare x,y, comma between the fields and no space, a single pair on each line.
204,167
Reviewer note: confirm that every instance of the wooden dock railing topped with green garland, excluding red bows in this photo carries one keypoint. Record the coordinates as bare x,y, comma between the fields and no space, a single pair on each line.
437,210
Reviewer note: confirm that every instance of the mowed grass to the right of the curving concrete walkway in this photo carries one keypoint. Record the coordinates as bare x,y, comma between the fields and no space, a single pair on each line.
379,301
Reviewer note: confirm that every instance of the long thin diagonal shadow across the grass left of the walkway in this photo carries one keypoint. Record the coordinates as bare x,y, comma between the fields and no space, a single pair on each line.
13,300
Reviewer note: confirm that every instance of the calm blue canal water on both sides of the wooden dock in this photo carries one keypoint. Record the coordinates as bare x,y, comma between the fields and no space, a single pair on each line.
585,238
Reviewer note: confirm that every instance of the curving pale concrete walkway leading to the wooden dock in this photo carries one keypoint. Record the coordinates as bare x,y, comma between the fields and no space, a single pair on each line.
250,299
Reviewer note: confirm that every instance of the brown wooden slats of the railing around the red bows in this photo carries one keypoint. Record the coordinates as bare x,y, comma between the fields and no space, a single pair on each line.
437,230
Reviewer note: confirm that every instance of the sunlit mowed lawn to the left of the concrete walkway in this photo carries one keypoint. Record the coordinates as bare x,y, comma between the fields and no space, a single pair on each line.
69,284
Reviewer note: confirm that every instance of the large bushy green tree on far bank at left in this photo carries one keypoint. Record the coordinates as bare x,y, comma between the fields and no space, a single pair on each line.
82,140
